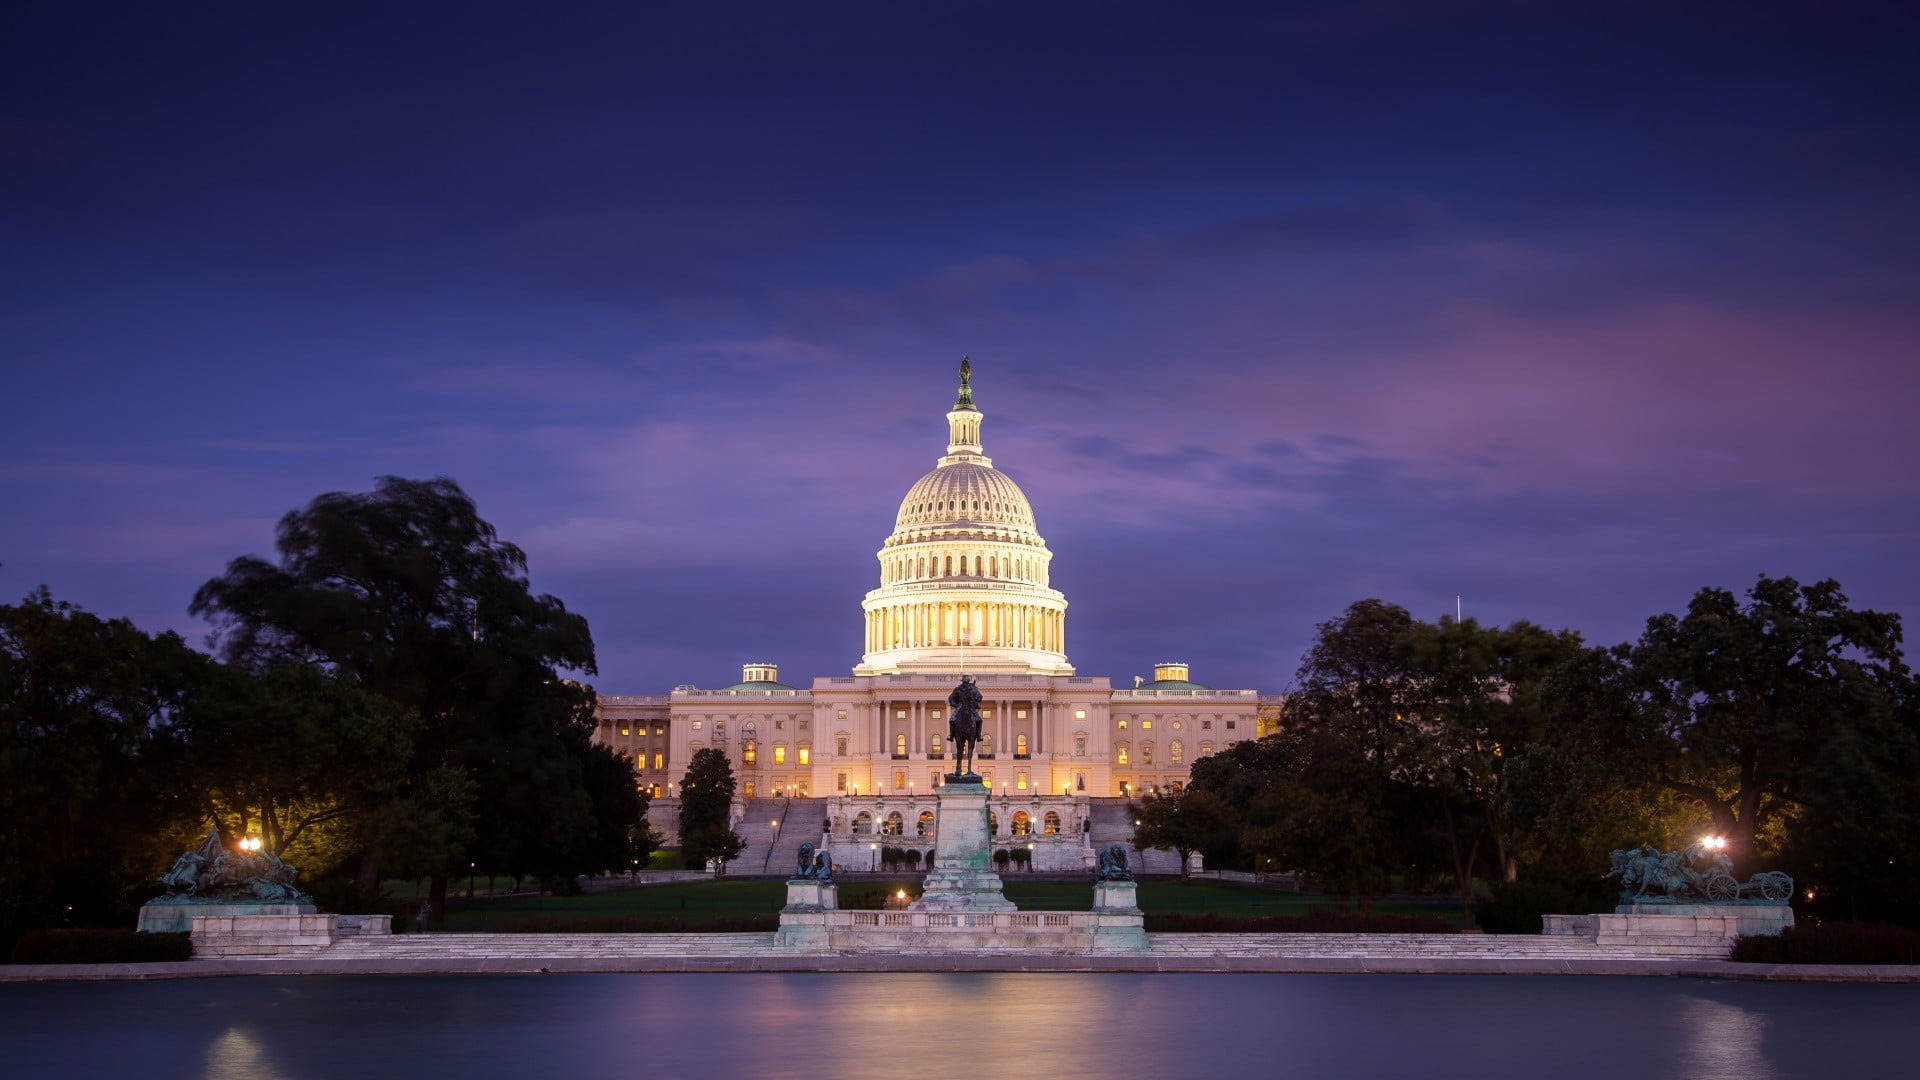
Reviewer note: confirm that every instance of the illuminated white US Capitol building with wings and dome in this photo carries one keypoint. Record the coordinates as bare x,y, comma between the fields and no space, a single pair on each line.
963,589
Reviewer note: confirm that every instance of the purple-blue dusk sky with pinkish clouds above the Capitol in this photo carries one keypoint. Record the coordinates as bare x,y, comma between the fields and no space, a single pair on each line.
1568,308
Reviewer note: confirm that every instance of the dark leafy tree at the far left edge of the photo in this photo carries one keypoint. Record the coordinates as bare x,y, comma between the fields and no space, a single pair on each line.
93,787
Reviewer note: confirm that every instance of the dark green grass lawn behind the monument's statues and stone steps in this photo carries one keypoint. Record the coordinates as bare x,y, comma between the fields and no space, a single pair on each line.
702,902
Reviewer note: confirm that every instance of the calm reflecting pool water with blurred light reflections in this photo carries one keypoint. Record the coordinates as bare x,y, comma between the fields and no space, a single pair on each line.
980,1027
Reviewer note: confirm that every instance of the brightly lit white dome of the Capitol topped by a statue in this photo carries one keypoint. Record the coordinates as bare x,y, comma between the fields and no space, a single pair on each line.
963,577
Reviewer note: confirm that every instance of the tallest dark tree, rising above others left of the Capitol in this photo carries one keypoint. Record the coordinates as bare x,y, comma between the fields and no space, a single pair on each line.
412,595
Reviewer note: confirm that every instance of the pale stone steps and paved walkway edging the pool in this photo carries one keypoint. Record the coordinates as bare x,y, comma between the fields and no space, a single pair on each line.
1428,954
